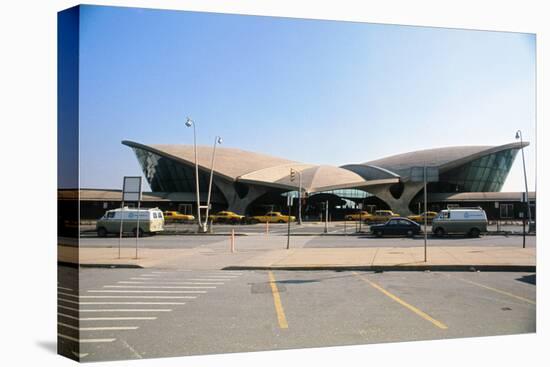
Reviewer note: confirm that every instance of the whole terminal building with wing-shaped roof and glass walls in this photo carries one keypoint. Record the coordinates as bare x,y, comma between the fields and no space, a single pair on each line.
251,183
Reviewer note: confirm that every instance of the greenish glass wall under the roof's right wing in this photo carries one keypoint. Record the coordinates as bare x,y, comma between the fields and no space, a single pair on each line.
486,174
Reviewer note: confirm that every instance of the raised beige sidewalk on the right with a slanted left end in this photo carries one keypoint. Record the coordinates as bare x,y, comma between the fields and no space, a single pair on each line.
388,258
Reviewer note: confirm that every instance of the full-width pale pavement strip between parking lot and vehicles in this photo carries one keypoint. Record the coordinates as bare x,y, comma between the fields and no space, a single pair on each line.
218,256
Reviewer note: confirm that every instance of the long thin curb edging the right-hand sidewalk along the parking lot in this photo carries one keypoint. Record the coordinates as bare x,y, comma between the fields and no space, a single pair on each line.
380,268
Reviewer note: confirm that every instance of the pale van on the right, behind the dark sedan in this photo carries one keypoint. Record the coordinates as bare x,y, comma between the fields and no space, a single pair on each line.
469,221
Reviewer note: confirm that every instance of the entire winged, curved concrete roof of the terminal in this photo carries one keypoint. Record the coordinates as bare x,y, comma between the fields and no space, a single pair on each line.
238,165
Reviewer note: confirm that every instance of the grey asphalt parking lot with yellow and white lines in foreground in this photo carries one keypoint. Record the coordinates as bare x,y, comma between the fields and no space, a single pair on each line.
141,313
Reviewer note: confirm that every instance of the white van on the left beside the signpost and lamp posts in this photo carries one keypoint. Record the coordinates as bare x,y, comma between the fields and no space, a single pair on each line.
150,221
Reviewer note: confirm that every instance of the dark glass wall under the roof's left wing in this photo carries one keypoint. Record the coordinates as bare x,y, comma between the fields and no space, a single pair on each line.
167,175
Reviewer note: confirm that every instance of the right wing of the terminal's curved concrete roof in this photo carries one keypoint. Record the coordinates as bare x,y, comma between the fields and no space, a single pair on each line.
443,158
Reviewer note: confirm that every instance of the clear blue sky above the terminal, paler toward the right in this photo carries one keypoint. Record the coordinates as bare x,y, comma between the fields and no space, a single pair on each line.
313,91
